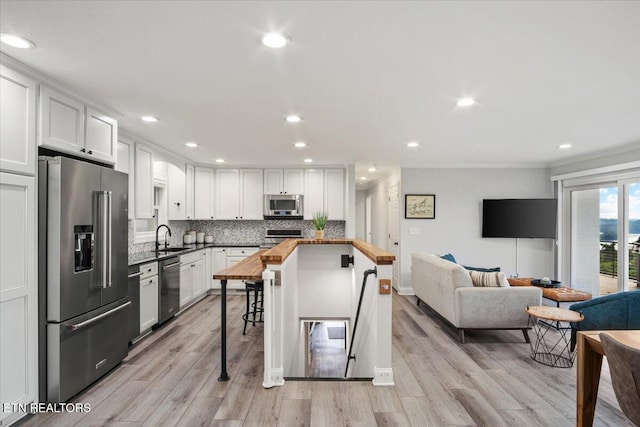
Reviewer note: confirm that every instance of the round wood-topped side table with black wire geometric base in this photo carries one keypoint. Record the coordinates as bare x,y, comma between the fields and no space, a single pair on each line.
552,346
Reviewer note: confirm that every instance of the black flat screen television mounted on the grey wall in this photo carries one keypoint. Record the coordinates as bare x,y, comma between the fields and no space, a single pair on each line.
532,218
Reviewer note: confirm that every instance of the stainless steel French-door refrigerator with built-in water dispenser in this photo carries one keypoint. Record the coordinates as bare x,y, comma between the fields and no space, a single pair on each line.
83,294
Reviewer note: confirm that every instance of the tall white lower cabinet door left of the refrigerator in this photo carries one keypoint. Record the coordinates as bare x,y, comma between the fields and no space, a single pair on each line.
18,293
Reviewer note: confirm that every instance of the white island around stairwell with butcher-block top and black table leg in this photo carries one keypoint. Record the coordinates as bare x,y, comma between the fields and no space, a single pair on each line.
307,280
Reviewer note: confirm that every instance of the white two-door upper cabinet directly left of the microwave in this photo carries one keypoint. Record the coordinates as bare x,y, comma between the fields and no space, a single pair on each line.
239,193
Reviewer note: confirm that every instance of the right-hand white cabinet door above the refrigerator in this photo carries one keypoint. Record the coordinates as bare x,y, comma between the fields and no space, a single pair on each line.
101,136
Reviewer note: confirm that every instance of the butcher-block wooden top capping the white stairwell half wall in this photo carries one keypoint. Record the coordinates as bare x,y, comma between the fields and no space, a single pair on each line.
279,254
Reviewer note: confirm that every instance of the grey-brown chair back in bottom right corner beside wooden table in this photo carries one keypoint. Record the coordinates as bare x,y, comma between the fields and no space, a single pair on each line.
624,364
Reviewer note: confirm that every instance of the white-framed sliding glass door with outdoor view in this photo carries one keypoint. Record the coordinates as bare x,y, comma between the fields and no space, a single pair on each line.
604,236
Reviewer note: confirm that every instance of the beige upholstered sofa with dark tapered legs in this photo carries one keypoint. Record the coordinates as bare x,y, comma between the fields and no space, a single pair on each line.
447,288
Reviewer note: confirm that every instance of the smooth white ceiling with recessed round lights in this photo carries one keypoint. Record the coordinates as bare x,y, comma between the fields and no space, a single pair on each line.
367,77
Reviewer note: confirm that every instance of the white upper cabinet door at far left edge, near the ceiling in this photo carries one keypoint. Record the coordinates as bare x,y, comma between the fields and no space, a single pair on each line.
17,122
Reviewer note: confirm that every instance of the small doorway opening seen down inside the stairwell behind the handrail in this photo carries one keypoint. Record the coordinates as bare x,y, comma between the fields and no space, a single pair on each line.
326,345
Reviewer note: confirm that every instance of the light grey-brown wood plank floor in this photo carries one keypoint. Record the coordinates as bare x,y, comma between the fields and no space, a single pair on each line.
170,379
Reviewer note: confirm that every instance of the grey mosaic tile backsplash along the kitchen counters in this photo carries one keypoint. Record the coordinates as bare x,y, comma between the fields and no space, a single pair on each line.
237,232
